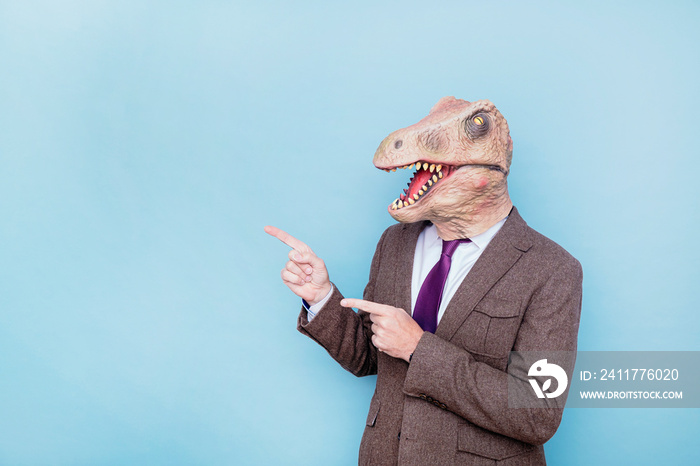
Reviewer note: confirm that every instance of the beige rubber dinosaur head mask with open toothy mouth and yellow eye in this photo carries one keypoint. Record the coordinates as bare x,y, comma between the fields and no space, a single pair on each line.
460,155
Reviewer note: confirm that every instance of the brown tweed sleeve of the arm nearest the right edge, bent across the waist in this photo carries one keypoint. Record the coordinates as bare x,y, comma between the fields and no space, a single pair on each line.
477,391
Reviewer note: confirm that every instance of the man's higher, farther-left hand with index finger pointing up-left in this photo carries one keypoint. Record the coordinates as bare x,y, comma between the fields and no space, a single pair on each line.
305,274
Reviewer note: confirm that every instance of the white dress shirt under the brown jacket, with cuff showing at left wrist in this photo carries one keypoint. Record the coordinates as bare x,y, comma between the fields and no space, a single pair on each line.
428,251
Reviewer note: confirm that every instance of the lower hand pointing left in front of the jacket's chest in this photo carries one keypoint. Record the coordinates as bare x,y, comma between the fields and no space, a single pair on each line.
395,332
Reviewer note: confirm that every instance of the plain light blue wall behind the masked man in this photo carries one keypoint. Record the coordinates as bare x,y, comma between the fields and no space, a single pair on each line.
144,145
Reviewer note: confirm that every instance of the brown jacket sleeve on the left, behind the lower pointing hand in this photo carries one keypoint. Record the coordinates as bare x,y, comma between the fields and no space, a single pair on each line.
345,334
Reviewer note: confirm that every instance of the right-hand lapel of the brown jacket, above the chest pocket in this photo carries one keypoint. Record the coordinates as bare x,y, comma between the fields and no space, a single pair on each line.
503,251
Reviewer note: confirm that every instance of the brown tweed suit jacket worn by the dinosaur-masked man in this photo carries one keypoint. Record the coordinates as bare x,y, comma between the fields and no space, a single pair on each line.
450,404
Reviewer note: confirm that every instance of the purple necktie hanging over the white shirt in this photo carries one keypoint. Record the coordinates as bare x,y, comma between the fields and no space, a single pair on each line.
430,295
